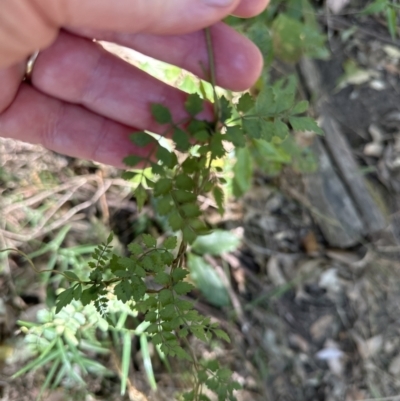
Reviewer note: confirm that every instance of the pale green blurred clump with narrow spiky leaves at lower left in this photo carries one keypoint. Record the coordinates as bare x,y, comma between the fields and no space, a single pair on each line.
60,341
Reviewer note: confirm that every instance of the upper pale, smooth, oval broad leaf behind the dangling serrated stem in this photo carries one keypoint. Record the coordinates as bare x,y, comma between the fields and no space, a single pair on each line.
216,243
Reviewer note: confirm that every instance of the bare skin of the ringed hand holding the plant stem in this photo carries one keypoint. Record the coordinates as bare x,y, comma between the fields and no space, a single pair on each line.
85,102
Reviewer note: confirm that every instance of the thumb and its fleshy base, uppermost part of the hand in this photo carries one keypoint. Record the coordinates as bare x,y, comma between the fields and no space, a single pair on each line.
30,25
